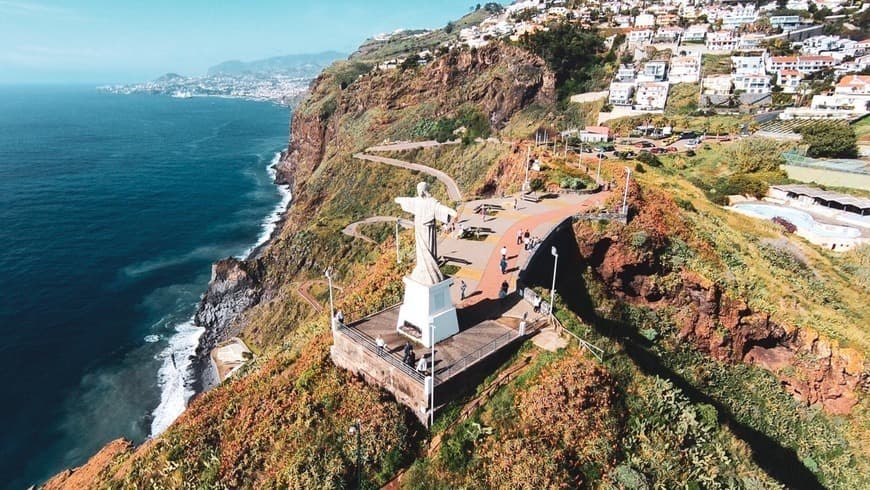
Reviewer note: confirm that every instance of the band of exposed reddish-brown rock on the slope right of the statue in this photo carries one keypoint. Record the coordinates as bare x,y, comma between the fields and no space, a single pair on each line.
813,368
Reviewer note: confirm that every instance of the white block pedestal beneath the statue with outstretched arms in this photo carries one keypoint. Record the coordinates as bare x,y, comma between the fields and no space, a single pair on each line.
425,306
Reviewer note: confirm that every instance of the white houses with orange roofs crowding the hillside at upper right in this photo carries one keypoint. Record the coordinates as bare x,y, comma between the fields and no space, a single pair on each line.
806,58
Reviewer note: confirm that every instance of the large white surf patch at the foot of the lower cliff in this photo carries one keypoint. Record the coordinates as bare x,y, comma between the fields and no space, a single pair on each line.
175,375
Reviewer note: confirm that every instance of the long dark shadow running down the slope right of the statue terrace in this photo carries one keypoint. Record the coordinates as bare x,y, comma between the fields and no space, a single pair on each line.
781,463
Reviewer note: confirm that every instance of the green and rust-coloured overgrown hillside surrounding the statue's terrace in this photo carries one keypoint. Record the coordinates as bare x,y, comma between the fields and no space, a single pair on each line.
733,351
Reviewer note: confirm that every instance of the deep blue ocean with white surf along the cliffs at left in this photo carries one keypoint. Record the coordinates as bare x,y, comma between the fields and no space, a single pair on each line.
112,210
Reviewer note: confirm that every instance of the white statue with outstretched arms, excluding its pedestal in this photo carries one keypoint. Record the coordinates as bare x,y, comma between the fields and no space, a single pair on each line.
427,212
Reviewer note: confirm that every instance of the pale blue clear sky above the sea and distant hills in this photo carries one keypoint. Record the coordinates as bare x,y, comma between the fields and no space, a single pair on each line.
120,41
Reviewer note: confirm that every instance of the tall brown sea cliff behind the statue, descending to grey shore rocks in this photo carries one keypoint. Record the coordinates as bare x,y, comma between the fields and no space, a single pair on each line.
350,108
